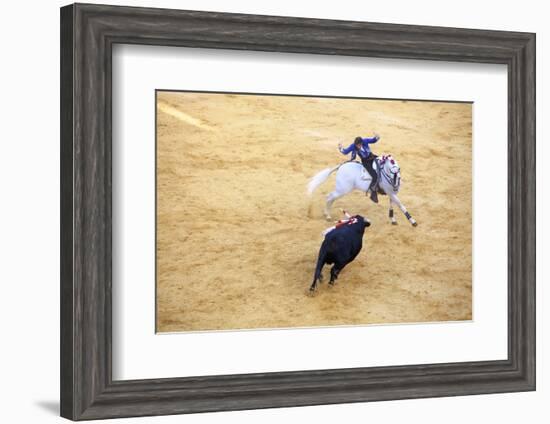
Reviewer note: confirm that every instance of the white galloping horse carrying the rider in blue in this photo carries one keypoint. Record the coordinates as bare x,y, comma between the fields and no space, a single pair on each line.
352,176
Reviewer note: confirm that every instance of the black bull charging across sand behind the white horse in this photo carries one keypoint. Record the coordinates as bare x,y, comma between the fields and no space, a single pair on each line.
340,247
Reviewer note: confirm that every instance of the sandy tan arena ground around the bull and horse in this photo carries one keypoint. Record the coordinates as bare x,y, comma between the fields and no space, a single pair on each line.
237,236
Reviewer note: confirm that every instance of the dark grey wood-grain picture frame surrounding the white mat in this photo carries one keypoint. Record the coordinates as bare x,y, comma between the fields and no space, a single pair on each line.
88,33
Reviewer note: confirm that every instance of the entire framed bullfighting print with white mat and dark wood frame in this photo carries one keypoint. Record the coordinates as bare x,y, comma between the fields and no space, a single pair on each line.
264,212
